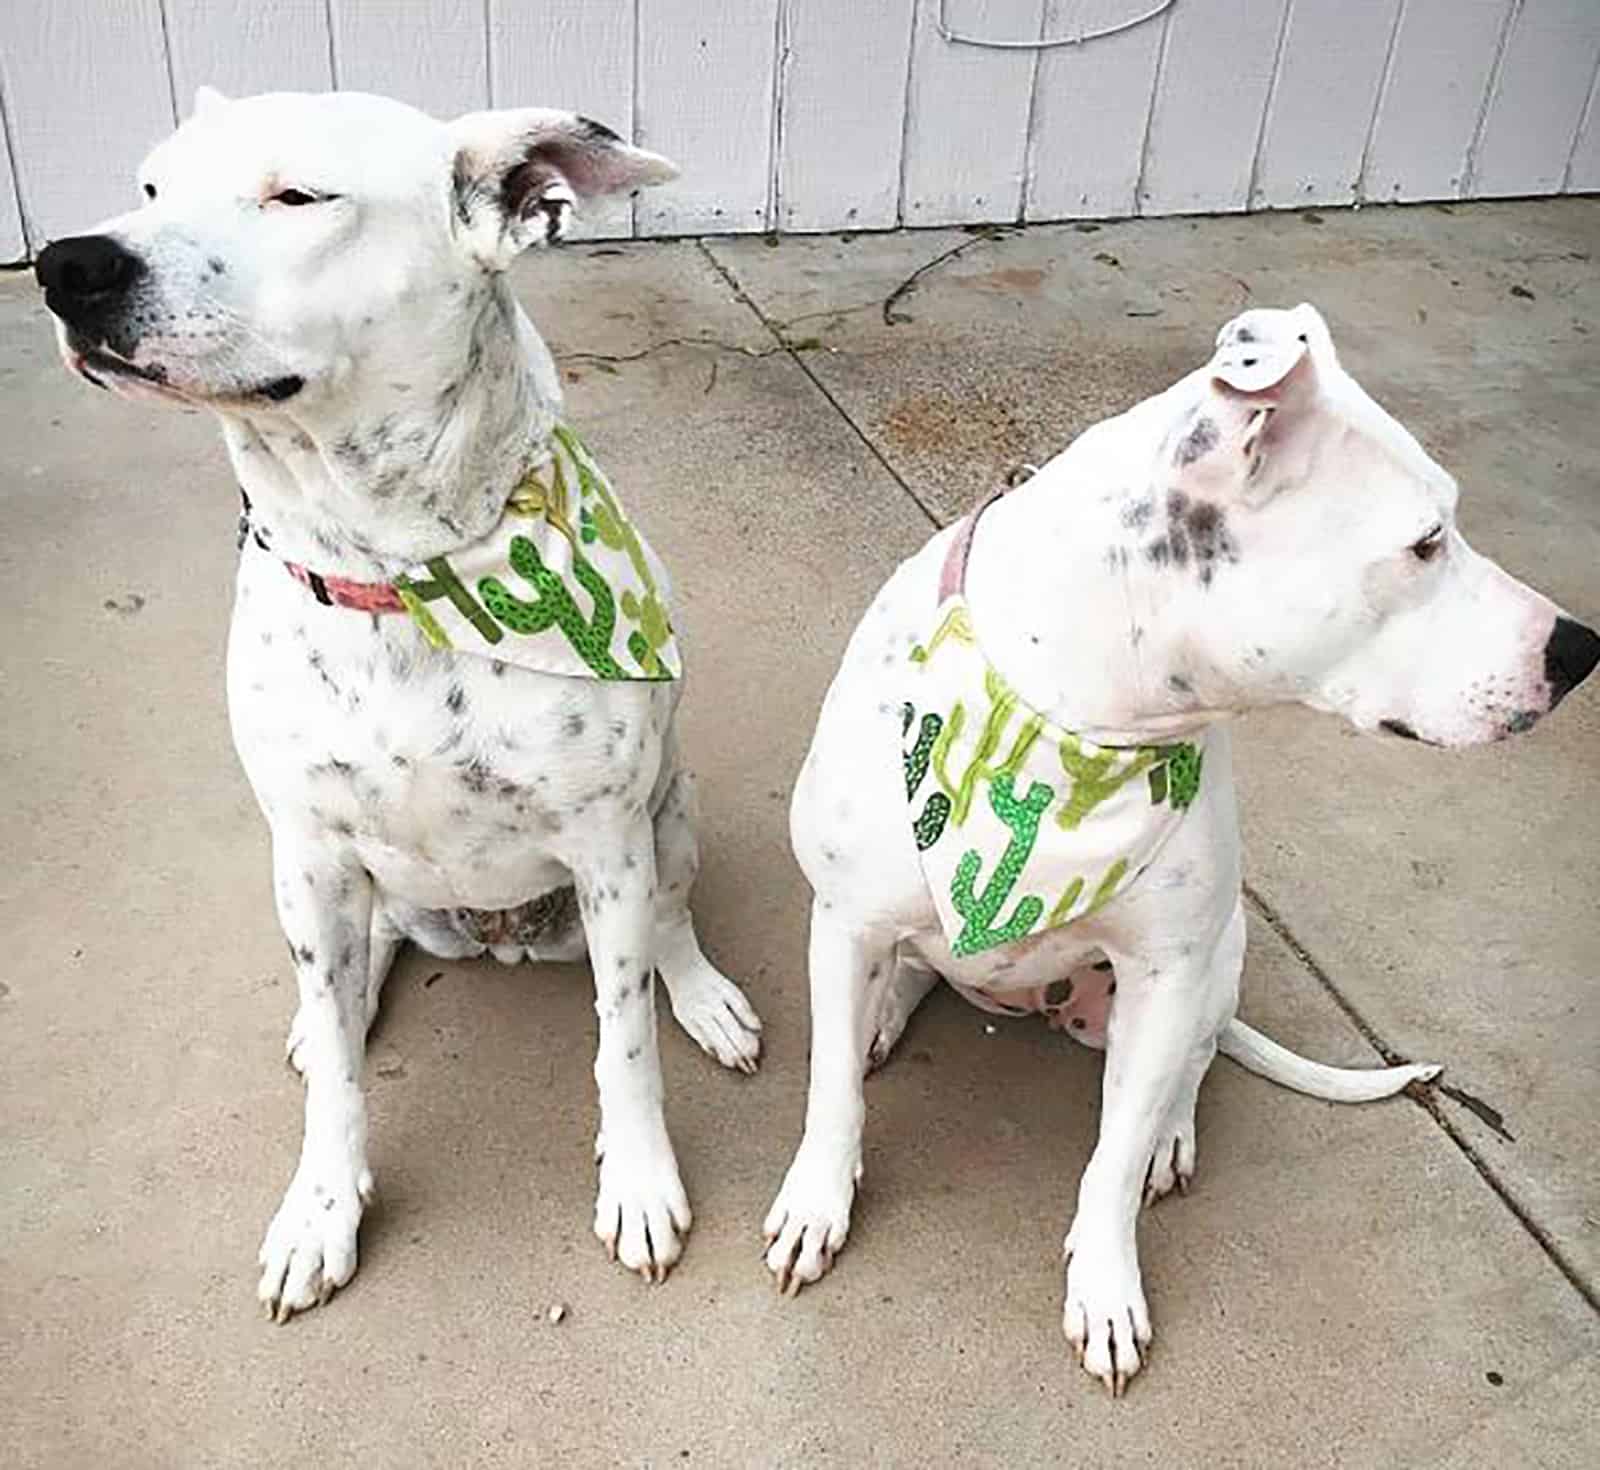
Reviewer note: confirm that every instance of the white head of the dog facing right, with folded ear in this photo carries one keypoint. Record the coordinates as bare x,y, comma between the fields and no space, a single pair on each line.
1329,538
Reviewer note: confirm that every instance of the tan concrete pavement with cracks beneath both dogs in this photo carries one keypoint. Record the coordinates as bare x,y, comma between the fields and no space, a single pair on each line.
1346,1287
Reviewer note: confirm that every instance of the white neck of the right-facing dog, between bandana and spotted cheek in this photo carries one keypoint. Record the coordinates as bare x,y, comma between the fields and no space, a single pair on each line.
1068,605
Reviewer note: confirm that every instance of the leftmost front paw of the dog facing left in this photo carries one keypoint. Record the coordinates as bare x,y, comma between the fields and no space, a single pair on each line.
310,1252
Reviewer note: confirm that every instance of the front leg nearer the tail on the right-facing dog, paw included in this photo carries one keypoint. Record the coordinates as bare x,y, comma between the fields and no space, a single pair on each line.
1164,1029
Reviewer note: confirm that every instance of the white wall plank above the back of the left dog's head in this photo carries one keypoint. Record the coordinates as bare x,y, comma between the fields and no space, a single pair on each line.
430,54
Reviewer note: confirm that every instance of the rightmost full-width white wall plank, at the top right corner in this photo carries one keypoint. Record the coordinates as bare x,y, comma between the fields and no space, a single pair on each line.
1538,98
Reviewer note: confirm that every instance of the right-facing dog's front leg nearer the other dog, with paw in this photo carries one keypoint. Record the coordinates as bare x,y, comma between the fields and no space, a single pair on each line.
810,1218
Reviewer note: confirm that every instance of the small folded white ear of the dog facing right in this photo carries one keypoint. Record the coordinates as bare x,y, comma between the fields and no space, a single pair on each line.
1263,375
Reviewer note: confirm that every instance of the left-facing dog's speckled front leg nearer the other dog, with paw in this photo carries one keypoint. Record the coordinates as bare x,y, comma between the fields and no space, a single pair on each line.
641,1212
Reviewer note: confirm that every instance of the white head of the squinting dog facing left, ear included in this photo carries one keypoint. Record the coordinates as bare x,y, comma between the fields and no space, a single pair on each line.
290,244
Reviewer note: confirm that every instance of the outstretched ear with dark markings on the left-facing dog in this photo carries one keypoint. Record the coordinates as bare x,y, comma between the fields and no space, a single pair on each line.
518,177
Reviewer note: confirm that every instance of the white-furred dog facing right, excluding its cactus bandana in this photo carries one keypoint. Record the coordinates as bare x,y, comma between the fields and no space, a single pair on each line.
1250,537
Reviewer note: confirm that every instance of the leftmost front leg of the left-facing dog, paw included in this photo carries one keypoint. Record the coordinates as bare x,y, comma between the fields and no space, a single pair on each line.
326,909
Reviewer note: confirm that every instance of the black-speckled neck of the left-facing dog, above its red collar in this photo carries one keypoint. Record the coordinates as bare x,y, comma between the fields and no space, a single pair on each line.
415,463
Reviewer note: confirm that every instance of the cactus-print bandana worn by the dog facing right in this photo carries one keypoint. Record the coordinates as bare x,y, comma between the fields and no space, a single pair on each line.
1023,826
